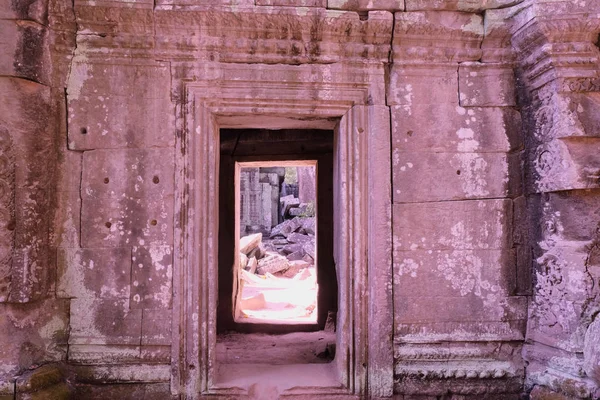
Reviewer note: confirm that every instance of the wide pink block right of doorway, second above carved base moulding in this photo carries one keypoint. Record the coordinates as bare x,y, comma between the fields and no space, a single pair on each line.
475,224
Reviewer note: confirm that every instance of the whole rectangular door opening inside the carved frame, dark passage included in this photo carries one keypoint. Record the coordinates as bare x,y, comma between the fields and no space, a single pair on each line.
277,283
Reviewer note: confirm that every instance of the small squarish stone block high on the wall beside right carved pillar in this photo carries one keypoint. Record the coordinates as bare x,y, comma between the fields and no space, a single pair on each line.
486,85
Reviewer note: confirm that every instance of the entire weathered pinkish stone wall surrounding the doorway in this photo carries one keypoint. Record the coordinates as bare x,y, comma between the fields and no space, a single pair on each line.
494,212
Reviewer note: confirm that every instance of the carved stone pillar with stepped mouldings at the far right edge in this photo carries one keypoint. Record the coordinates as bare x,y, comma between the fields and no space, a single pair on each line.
560,92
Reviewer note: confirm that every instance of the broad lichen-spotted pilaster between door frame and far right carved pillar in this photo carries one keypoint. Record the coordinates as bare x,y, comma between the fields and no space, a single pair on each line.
455,172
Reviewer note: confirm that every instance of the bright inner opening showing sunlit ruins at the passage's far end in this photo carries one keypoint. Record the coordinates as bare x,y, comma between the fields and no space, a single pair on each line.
276,208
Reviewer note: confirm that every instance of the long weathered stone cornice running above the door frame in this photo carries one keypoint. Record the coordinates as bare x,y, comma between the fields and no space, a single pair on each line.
237,36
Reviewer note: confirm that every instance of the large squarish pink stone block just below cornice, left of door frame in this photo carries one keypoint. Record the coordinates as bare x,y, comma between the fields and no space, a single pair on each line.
139,93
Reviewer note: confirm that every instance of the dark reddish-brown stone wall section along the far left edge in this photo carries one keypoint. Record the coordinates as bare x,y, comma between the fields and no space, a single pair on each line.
33,322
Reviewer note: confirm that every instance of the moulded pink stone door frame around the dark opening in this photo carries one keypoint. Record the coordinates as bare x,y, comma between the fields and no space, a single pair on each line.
247,96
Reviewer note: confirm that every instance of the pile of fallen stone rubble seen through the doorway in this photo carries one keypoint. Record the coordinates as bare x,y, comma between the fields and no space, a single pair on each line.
289,249
